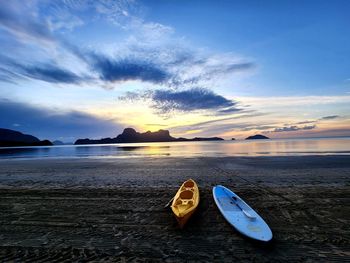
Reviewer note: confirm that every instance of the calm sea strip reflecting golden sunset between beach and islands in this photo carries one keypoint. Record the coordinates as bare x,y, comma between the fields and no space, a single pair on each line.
334,146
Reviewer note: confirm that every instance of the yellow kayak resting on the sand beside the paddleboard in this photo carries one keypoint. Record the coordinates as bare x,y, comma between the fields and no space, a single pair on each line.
185,202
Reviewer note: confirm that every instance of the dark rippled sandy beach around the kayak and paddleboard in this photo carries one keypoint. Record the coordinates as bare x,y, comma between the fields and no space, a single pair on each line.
112,210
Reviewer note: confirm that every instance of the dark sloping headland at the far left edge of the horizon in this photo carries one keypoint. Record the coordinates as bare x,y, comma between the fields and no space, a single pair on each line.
10,138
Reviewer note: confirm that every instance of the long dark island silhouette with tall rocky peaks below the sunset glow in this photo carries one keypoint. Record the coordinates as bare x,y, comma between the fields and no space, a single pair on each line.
130,135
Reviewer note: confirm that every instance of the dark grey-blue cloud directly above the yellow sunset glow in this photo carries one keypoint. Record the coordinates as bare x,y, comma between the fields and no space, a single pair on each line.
165,101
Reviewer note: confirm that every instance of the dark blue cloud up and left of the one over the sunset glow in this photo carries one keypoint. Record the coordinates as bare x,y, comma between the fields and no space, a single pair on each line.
128,69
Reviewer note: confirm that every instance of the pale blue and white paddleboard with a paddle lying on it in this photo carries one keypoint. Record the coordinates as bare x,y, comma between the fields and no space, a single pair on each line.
240,215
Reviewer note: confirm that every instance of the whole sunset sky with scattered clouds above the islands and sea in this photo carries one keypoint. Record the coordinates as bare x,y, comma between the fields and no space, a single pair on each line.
74,69
